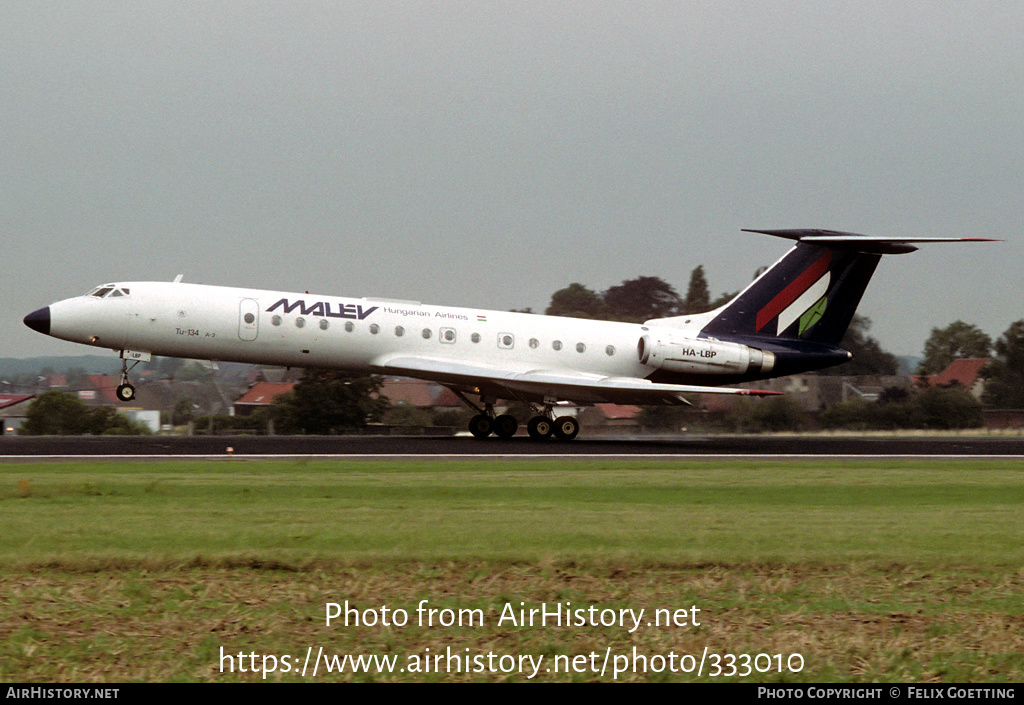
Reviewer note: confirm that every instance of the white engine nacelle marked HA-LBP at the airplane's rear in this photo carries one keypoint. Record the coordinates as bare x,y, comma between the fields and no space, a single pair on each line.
662,350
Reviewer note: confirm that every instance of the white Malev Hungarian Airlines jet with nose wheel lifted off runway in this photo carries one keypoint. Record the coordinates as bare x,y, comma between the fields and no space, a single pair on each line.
789,320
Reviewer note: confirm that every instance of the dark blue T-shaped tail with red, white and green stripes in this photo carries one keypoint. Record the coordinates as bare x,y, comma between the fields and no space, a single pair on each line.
813,293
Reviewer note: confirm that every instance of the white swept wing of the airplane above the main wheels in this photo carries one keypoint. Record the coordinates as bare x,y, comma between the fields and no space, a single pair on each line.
540,385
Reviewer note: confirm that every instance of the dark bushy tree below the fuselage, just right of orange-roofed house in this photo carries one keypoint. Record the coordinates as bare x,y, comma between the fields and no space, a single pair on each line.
330,402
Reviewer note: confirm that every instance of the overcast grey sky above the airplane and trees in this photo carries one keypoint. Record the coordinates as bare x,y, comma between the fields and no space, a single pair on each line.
488,154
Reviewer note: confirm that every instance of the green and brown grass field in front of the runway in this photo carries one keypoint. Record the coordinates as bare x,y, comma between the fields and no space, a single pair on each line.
855,570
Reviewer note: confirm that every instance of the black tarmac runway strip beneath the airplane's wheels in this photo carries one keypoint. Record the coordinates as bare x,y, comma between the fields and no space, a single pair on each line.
383,446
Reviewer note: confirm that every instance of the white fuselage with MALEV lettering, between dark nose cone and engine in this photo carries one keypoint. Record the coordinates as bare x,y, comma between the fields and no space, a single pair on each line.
311,330
